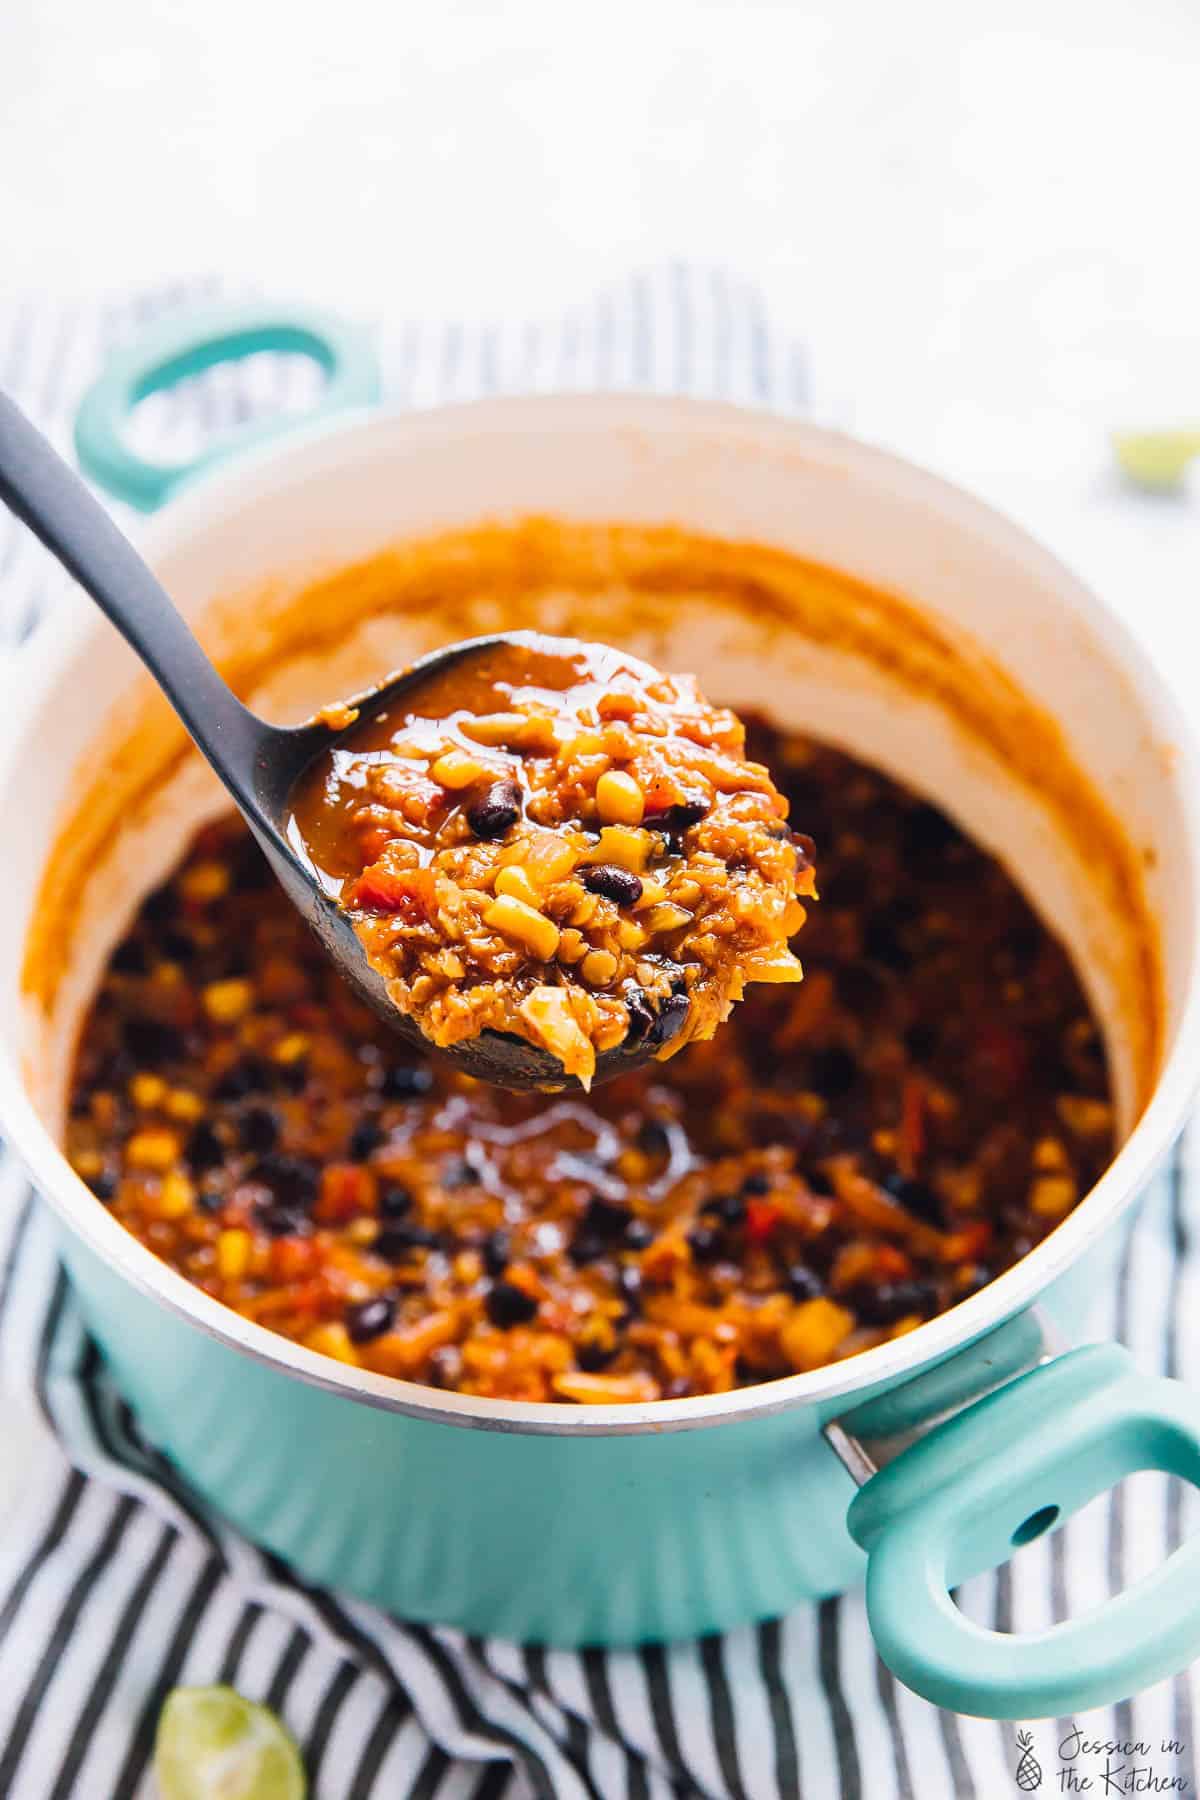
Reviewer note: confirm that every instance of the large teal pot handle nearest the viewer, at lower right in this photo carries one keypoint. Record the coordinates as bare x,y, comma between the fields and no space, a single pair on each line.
996,1477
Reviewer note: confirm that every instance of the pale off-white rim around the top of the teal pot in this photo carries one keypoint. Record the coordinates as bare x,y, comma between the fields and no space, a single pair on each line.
1176,1086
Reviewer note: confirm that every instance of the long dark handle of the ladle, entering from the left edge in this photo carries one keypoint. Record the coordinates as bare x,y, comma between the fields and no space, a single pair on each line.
42,490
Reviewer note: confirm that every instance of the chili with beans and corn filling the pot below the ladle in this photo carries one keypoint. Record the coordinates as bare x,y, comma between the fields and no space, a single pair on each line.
839,1164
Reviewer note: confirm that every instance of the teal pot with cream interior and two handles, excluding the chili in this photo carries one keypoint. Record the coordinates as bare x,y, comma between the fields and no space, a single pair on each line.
618,1525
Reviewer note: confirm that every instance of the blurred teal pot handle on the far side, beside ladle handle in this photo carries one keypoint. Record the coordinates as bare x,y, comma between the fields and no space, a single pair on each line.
197,339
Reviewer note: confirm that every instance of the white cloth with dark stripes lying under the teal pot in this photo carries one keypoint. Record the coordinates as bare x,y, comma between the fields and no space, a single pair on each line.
116,1585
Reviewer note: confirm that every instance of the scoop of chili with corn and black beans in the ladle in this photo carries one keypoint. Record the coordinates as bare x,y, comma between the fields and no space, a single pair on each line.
557,841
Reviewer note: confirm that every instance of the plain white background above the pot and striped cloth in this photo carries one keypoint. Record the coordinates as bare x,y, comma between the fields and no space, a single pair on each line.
980,215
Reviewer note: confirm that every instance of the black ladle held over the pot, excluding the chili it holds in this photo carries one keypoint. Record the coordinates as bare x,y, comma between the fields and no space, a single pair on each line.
260,764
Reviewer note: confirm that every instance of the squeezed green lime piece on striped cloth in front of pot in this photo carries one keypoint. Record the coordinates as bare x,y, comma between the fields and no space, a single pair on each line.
215,1745
